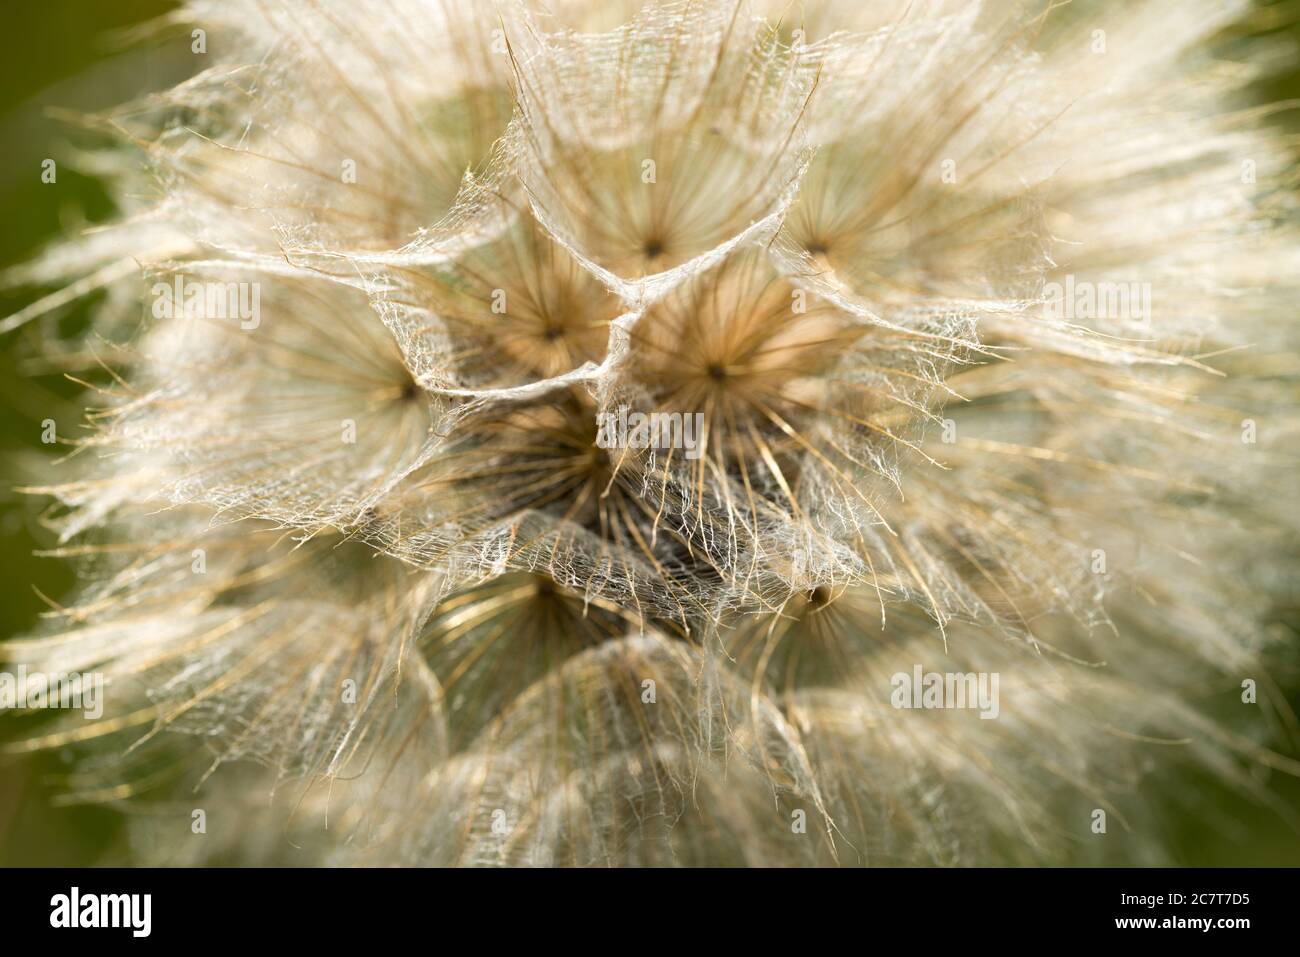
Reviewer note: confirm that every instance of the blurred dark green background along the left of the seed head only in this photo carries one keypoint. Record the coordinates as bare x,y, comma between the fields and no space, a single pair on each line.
72,55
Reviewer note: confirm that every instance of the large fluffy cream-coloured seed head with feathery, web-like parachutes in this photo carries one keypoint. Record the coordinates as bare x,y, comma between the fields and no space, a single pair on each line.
695,432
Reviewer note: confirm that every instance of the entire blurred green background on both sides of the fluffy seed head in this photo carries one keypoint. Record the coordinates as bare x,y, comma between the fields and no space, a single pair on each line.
73,55
